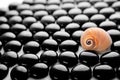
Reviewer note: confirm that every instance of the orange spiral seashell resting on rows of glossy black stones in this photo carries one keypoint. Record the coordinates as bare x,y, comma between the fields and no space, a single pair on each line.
96,39
